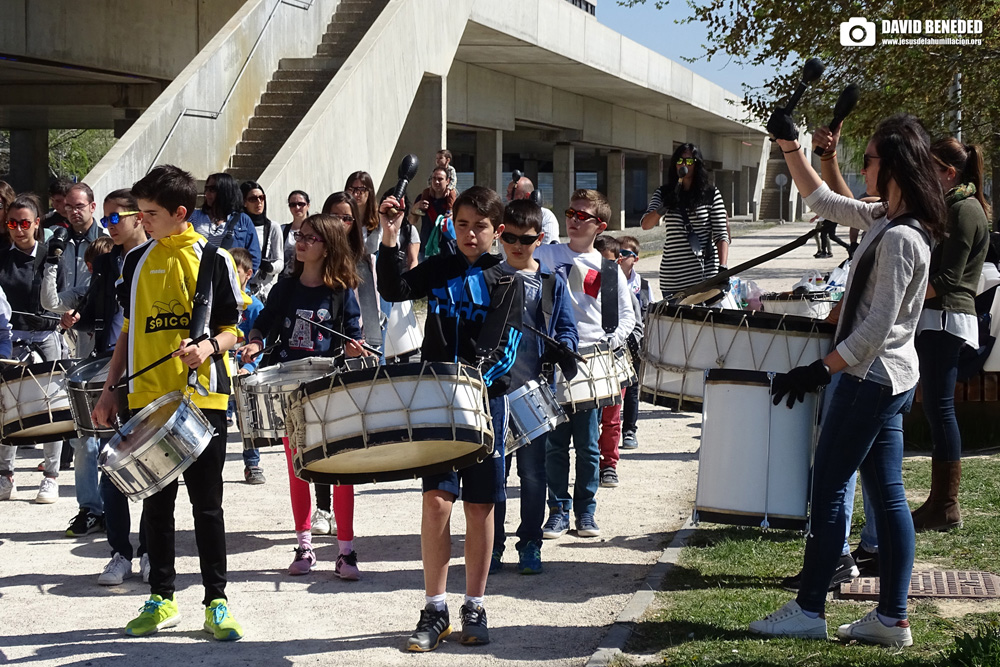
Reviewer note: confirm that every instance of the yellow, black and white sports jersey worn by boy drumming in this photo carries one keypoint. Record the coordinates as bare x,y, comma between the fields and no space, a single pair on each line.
156,291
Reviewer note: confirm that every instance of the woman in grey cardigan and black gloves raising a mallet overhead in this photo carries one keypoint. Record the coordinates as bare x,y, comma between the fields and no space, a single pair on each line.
864,426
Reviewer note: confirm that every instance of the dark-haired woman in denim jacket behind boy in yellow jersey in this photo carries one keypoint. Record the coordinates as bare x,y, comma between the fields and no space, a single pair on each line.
223,202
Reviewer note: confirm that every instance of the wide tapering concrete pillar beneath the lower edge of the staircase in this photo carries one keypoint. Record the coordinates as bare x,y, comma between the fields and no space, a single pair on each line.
424,133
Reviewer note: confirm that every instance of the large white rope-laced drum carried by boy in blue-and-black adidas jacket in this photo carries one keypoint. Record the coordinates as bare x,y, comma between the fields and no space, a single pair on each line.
393,422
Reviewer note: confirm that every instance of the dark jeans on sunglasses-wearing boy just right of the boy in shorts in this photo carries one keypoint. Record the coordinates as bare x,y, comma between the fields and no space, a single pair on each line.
531,471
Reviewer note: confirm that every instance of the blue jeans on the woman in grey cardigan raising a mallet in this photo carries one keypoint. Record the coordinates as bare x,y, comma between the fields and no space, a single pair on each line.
863,429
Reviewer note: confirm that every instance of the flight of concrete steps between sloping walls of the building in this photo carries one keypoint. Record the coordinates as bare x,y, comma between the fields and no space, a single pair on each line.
296,85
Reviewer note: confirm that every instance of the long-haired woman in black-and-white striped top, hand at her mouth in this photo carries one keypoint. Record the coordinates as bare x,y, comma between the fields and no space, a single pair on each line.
696,243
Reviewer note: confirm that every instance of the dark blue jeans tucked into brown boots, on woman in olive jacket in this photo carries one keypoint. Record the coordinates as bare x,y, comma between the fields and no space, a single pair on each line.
938,352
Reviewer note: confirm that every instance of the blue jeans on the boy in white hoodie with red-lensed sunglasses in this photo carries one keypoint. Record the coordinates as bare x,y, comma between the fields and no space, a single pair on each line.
582,427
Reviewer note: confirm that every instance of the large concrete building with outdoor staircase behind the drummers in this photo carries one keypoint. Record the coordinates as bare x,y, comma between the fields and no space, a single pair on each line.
299,93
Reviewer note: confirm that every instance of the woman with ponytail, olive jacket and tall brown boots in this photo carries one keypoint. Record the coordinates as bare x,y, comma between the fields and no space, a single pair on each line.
949,323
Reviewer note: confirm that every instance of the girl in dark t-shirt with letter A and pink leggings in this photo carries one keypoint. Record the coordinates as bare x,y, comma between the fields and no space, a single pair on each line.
321,290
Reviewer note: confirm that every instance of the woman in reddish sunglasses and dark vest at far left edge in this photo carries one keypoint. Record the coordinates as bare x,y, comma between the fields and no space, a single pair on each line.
21,265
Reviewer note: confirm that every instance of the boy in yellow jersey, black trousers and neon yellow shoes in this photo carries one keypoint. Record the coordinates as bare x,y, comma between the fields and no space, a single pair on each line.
156,291
